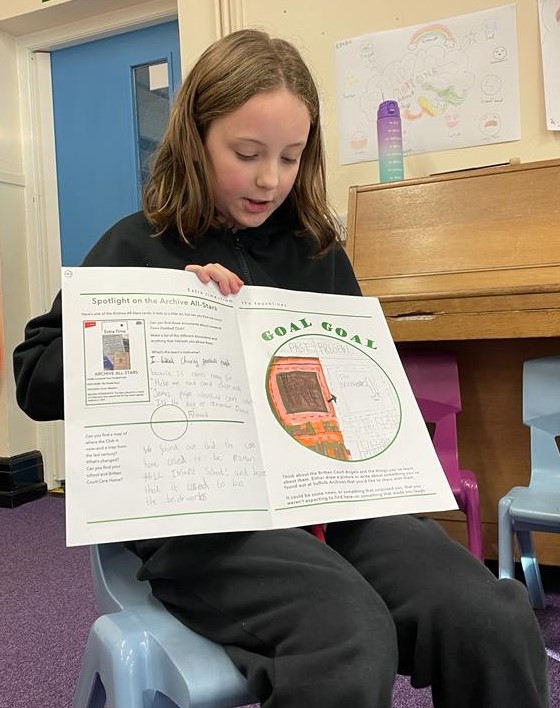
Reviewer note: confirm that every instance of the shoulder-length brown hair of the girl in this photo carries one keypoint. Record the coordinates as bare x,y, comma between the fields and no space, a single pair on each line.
229,73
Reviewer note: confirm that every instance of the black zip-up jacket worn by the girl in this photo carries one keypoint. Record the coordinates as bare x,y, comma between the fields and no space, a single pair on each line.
272,255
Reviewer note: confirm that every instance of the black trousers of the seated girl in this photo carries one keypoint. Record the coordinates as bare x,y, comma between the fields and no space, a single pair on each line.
324,626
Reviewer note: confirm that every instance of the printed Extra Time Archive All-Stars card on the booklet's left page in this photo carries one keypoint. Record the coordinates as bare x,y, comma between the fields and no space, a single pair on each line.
116,362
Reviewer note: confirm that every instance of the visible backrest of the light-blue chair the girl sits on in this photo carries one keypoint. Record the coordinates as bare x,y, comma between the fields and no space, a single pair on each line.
113,570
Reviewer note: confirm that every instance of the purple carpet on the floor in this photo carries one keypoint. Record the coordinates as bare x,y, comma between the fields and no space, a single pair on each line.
47,608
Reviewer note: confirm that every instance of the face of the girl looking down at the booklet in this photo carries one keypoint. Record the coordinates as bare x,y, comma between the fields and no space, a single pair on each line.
254,155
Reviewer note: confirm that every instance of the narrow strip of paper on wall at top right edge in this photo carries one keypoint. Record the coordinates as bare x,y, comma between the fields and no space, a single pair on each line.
549,16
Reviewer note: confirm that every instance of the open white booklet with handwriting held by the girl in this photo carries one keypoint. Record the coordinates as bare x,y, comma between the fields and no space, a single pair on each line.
190,412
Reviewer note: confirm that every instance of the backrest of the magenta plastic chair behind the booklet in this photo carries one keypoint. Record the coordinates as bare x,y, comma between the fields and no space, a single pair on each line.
434,378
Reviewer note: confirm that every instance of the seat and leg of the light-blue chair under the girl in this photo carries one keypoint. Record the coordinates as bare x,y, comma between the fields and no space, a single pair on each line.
138,654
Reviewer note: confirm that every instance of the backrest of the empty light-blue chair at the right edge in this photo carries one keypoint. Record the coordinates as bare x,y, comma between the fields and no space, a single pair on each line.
541,413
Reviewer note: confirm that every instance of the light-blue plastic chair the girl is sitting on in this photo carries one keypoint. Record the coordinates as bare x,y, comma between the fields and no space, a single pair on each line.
139,656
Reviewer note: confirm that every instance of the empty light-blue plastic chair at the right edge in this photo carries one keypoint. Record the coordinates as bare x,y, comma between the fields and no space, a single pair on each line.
537,506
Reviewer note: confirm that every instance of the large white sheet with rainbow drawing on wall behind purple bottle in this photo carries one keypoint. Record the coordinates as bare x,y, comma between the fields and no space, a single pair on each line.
456,82
